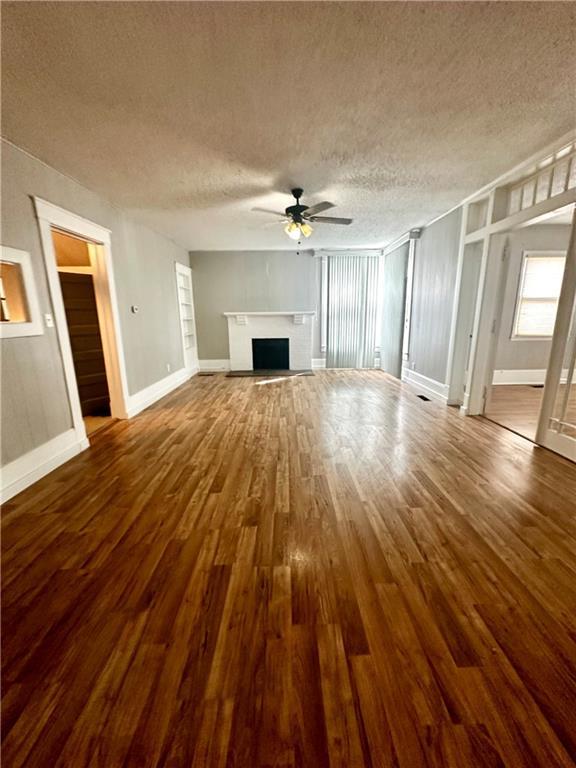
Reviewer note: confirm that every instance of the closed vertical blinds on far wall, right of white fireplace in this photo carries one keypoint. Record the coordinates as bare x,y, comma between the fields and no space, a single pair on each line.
352,309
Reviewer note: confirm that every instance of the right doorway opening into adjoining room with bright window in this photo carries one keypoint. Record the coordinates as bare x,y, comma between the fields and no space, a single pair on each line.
525,328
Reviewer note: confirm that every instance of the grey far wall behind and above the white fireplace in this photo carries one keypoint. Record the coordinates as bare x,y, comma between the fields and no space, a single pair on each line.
250,281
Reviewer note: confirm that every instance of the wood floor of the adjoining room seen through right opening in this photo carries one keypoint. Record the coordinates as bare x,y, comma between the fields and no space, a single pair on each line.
517,407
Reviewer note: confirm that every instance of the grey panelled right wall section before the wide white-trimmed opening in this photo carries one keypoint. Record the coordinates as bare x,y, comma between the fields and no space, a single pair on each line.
435,266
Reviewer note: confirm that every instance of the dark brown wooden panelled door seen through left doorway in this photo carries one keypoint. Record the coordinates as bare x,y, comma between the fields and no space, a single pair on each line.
87,351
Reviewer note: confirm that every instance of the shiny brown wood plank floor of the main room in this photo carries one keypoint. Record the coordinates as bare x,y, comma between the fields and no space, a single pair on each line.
317,571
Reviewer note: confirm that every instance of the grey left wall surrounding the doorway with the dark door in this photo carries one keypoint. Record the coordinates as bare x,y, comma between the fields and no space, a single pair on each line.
34,403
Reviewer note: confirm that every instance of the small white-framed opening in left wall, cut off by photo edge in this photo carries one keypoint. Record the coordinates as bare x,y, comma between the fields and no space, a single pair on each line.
19,307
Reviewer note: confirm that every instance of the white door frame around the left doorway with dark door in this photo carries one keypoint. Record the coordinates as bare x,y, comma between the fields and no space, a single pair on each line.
51,217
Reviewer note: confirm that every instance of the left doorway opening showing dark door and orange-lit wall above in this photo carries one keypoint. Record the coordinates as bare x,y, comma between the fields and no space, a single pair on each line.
76,274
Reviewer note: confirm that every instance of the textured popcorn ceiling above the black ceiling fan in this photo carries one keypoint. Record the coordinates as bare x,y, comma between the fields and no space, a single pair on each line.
190,114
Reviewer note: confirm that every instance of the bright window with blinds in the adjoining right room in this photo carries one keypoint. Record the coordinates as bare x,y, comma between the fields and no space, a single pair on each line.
538,294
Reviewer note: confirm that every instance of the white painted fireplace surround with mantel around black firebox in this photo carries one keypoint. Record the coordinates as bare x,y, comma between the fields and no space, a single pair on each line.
295,325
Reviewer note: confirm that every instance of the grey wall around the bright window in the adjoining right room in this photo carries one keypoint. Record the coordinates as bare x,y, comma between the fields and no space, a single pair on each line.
525,354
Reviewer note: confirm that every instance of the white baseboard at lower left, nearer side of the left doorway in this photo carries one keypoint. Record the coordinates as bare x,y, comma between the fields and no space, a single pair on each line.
32,466
